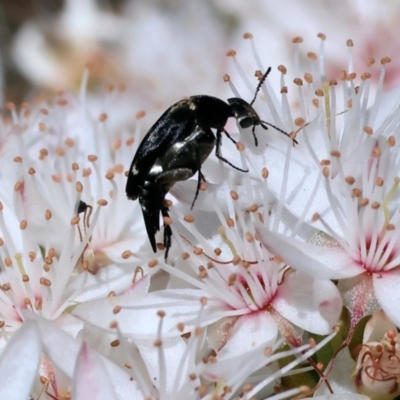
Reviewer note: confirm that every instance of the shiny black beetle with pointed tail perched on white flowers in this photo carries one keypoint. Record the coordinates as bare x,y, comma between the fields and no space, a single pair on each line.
175,148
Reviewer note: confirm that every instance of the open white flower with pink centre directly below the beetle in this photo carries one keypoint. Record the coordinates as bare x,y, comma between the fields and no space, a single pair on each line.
249,297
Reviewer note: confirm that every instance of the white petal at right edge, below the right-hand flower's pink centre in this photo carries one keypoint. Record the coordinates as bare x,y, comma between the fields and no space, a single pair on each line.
387,291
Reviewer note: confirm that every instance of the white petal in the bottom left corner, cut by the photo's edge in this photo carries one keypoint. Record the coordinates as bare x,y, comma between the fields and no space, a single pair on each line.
19,362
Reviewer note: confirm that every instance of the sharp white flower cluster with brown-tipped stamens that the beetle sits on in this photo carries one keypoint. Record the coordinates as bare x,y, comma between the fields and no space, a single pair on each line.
269,277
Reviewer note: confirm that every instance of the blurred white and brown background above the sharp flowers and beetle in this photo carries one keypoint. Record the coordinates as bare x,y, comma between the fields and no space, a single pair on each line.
166,49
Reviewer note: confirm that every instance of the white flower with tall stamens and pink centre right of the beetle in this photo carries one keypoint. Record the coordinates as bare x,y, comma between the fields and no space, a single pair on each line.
342,180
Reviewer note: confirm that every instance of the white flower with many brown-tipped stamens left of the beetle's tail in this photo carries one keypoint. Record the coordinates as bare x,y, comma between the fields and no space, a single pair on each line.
43,238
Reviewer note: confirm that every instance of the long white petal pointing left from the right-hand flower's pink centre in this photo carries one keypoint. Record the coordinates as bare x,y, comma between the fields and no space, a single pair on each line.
321,262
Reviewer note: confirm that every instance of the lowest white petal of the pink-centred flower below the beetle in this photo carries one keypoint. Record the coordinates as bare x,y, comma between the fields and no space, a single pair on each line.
250,332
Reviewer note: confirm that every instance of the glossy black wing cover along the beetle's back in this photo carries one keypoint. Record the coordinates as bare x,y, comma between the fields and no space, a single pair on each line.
177,123
